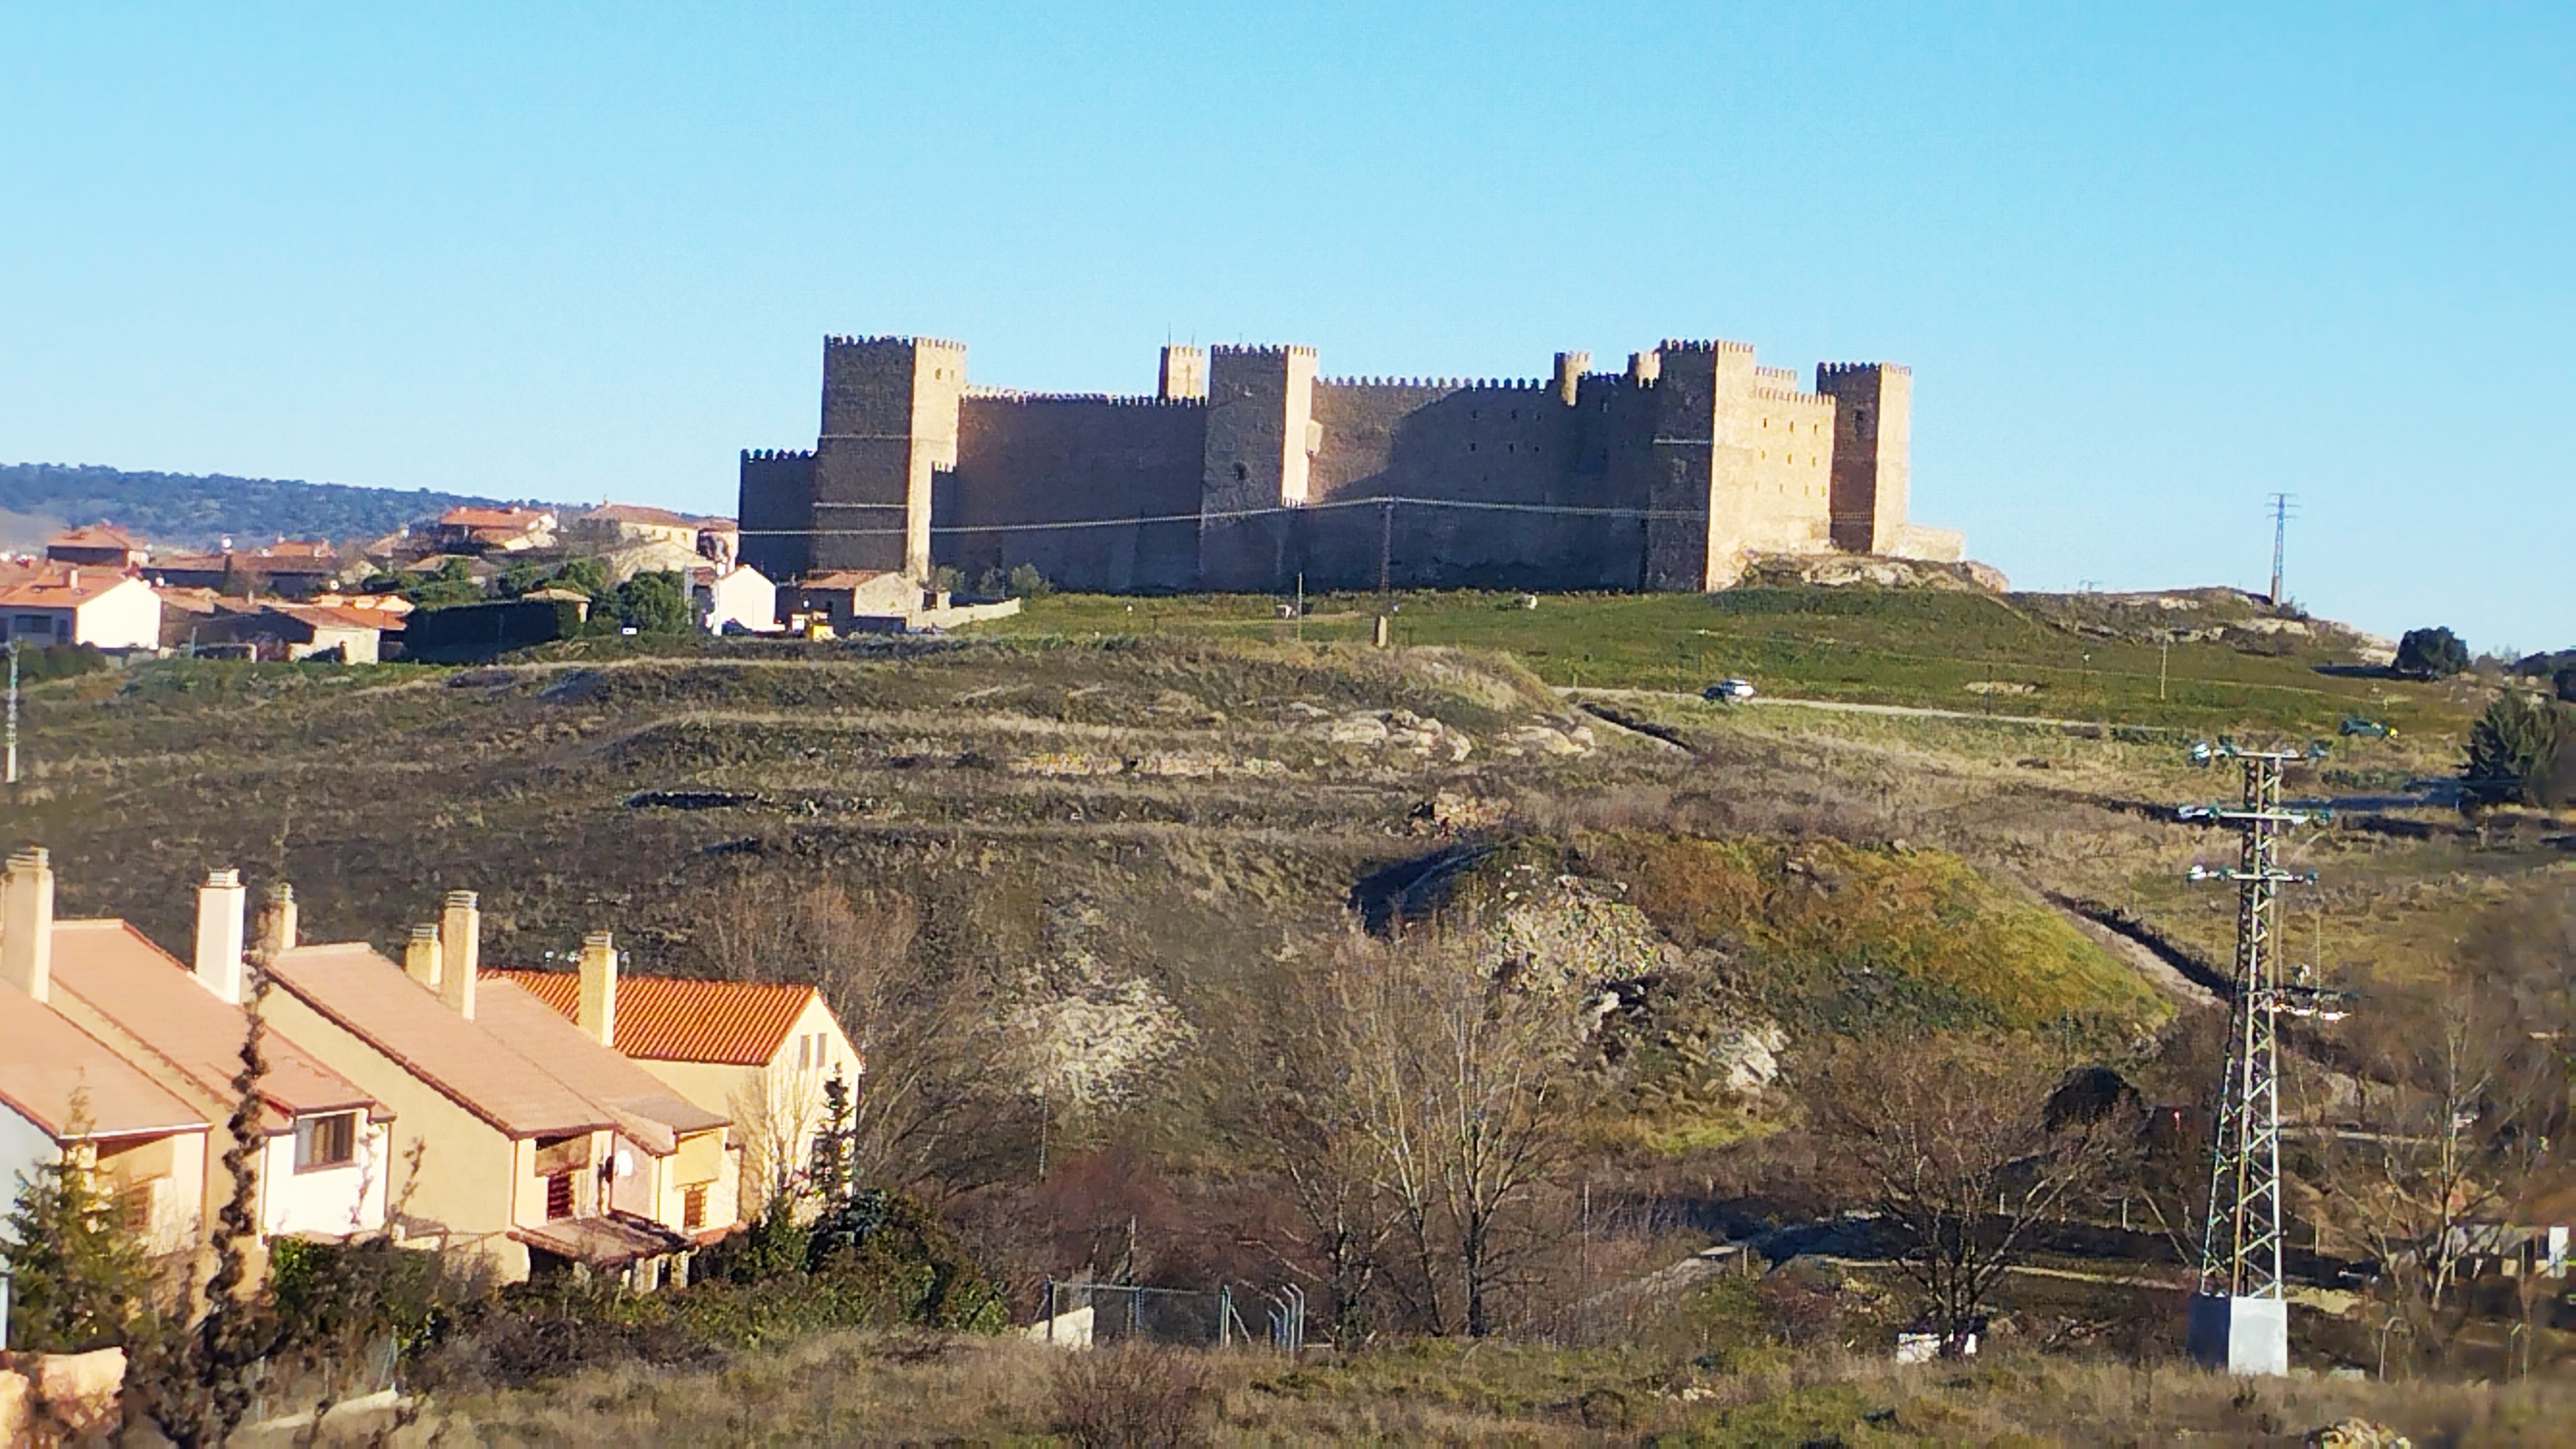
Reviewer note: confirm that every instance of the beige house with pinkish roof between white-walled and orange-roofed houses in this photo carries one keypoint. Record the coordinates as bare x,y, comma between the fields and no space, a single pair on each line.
519,1138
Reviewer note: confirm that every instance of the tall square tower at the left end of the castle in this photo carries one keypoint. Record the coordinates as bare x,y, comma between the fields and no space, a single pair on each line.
890,422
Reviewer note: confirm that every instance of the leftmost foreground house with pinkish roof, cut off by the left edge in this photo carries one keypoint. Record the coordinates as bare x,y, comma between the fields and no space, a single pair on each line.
68,1094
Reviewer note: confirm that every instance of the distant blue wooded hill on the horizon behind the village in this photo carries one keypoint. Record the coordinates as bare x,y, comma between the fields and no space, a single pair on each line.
200,512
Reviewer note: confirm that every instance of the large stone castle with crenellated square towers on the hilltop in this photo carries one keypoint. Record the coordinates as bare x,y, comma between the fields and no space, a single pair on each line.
1248,471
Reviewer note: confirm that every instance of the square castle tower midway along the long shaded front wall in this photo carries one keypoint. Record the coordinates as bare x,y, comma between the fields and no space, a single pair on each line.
1258,452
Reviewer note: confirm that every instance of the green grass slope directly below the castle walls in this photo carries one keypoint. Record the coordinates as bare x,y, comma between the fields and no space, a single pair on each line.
1861,646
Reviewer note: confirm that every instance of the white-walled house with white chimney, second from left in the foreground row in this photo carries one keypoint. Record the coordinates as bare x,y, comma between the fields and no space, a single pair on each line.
323,1162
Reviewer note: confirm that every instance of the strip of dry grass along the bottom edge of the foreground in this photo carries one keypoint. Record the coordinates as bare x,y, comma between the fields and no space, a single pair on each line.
918,1391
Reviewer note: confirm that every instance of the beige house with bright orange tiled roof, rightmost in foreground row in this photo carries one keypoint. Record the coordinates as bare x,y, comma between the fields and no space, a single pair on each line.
753,1051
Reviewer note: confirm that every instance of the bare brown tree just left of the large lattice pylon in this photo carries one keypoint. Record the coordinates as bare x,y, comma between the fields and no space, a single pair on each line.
1967,1146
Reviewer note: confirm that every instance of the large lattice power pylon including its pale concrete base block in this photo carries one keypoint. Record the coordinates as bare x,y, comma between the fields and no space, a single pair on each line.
2240,1319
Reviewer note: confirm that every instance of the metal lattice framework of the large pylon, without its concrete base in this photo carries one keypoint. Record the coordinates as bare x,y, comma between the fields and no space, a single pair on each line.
2240,1244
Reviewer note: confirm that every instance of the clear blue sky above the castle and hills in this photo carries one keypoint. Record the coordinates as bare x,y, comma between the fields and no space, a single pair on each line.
2147,264
